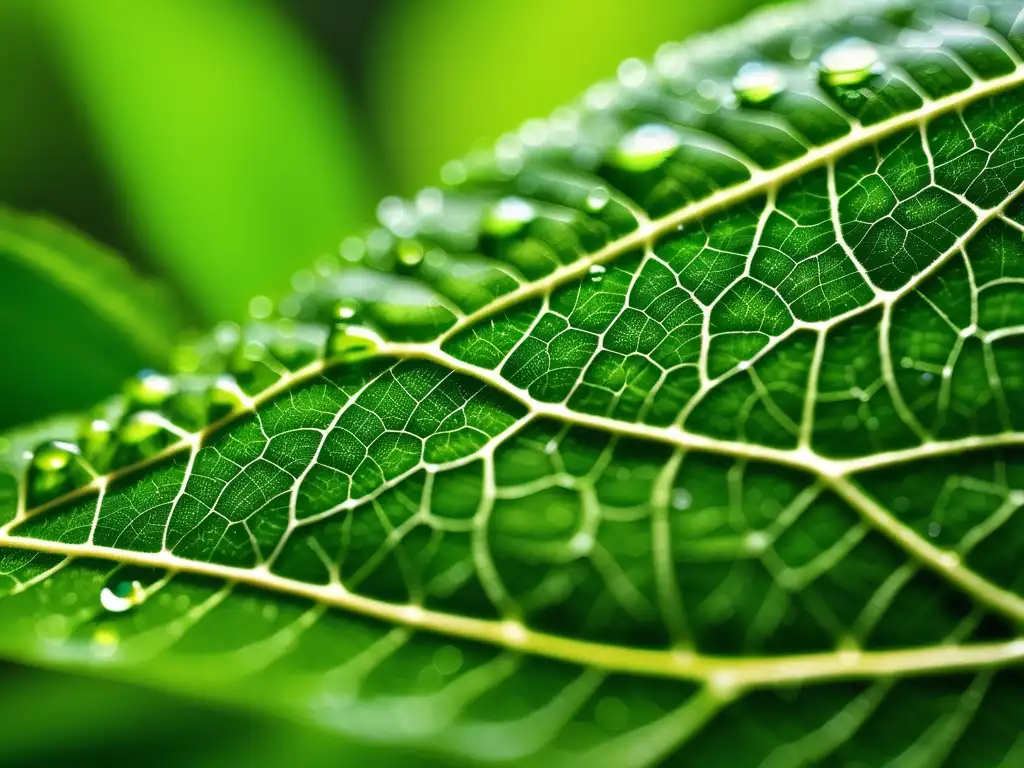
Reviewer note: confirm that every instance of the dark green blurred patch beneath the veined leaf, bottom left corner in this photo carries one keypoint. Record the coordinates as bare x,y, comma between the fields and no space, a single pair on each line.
104,722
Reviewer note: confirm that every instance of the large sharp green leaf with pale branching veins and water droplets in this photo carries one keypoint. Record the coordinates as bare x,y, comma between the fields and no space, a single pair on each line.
686,430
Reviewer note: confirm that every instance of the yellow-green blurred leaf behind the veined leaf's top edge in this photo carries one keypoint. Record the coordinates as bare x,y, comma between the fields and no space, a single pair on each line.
452,72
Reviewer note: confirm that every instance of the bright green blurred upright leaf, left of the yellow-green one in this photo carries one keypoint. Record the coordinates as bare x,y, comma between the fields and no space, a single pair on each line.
231,142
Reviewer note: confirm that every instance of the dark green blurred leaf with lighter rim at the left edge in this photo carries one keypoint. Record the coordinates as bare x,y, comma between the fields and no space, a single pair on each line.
75,320
